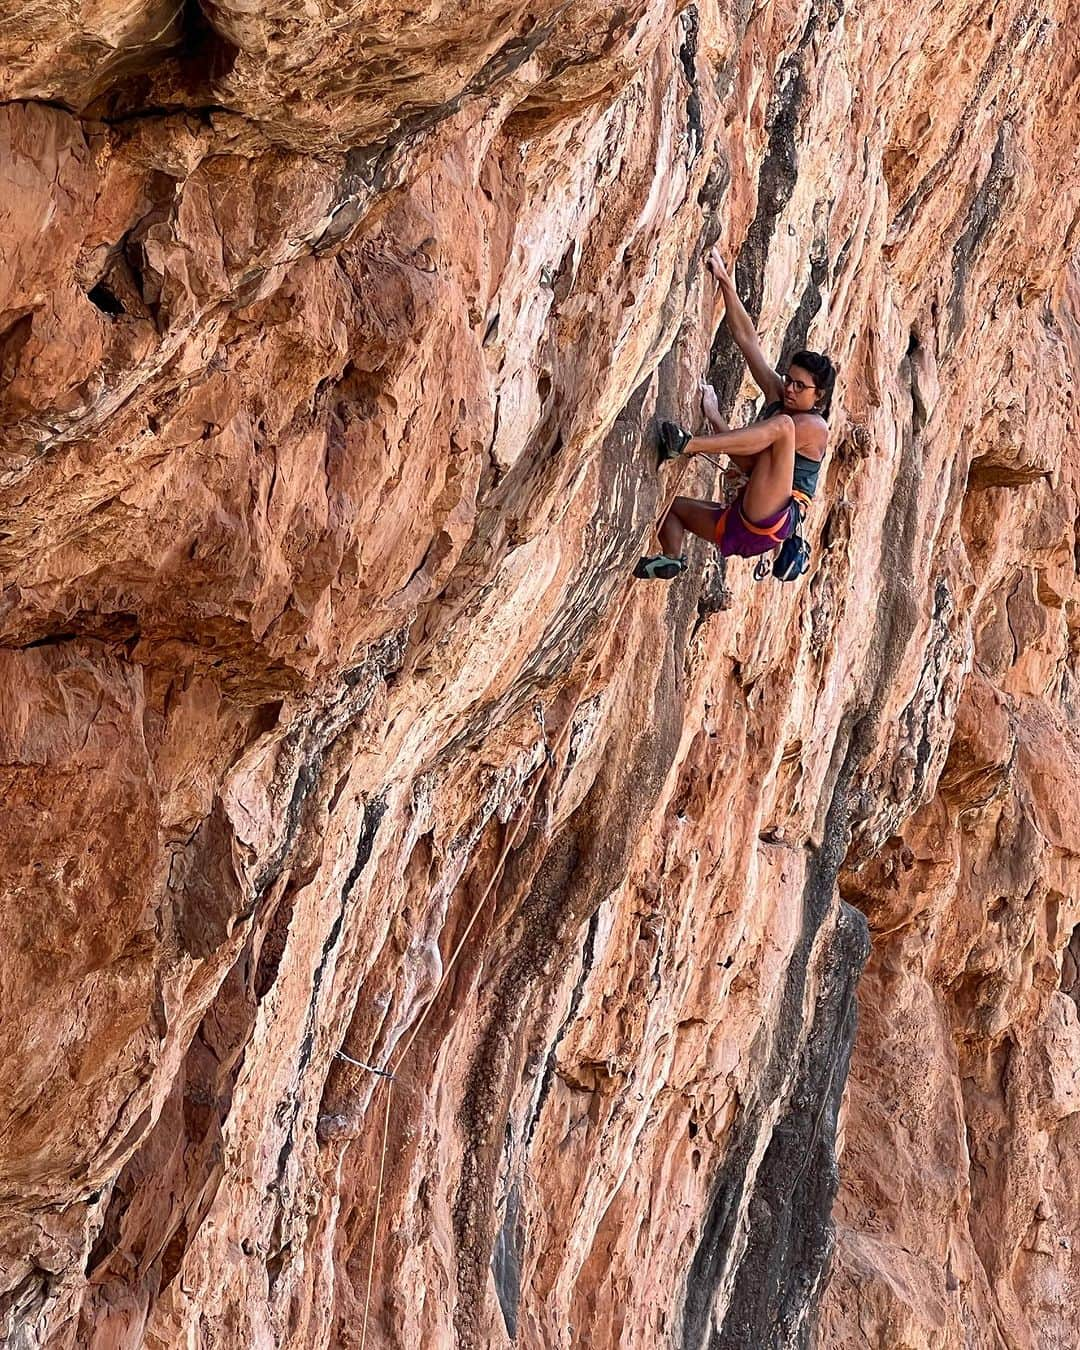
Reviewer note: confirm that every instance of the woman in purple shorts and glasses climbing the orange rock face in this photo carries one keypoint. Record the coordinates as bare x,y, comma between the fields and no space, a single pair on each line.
781,453
